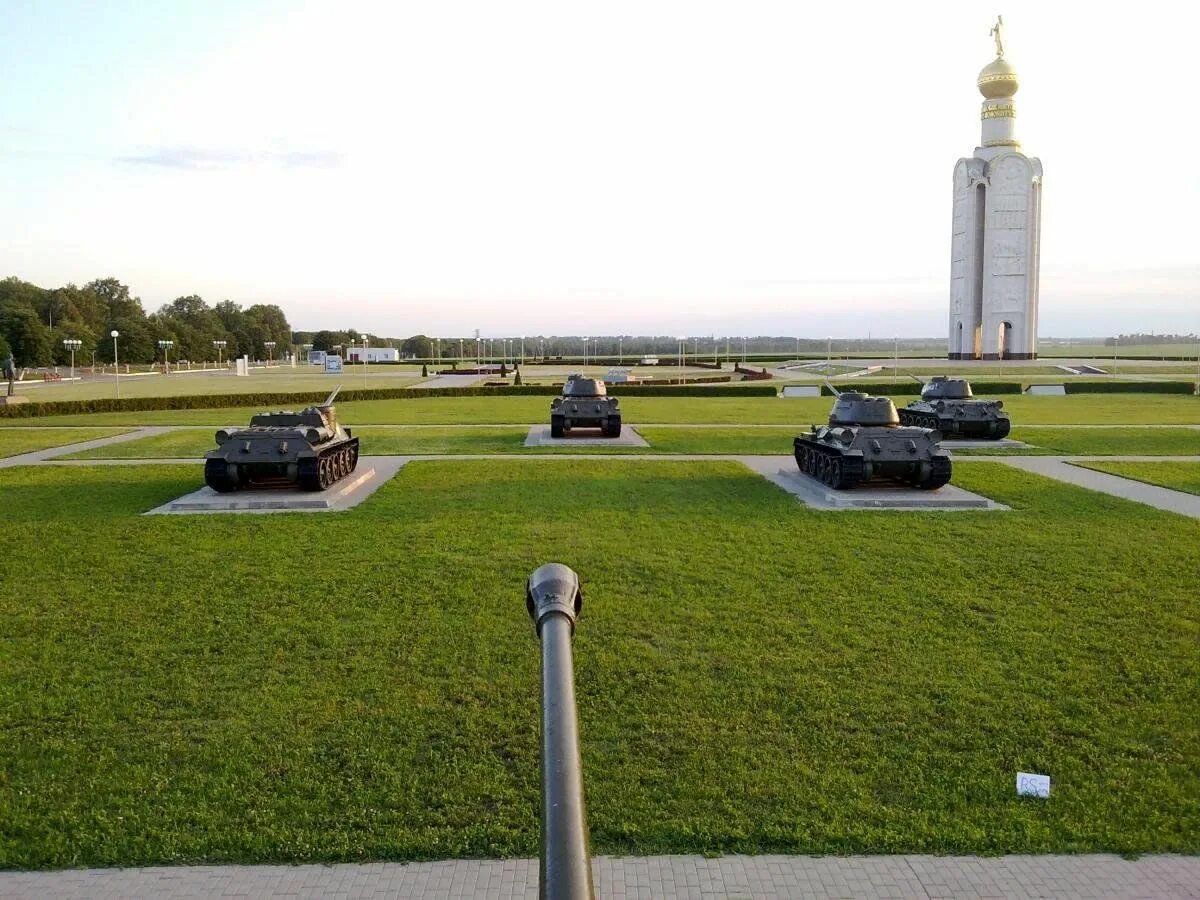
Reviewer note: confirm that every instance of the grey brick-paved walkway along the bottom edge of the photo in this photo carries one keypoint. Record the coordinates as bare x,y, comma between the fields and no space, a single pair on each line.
659,878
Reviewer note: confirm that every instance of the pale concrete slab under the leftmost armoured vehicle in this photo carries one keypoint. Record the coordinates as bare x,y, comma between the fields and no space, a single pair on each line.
346,494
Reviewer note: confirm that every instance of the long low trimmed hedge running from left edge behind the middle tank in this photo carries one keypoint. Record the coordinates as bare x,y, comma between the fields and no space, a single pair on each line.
277,401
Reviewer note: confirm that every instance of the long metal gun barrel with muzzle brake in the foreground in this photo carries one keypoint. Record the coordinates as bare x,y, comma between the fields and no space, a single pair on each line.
555,601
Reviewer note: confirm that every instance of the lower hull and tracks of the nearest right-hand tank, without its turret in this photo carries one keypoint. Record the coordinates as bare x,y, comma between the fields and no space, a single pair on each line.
910,457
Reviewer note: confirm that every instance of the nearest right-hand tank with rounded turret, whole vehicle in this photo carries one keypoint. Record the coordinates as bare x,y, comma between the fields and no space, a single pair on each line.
866,442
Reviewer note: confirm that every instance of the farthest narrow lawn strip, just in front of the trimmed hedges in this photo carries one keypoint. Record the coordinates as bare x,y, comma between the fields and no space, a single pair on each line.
734,410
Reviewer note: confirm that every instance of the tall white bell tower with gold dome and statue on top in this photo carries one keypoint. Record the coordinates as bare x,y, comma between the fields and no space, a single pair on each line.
997,245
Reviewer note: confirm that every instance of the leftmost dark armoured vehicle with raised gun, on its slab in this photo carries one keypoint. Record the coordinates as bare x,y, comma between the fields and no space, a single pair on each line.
309,449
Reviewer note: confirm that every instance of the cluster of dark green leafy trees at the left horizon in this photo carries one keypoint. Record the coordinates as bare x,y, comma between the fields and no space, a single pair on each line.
35,321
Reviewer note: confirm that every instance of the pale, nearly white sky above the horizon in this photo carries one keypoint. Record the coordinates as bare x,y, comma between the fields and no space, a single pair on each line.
608,167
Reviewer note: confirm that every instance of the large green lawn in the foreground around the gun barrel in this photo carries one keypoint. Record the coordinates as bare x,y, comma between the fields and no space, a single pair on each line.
753,676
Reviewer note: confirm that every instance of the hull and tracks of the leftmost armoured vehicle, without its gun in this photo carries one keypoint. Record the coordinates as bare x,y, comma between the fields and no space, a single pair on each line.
251,461
